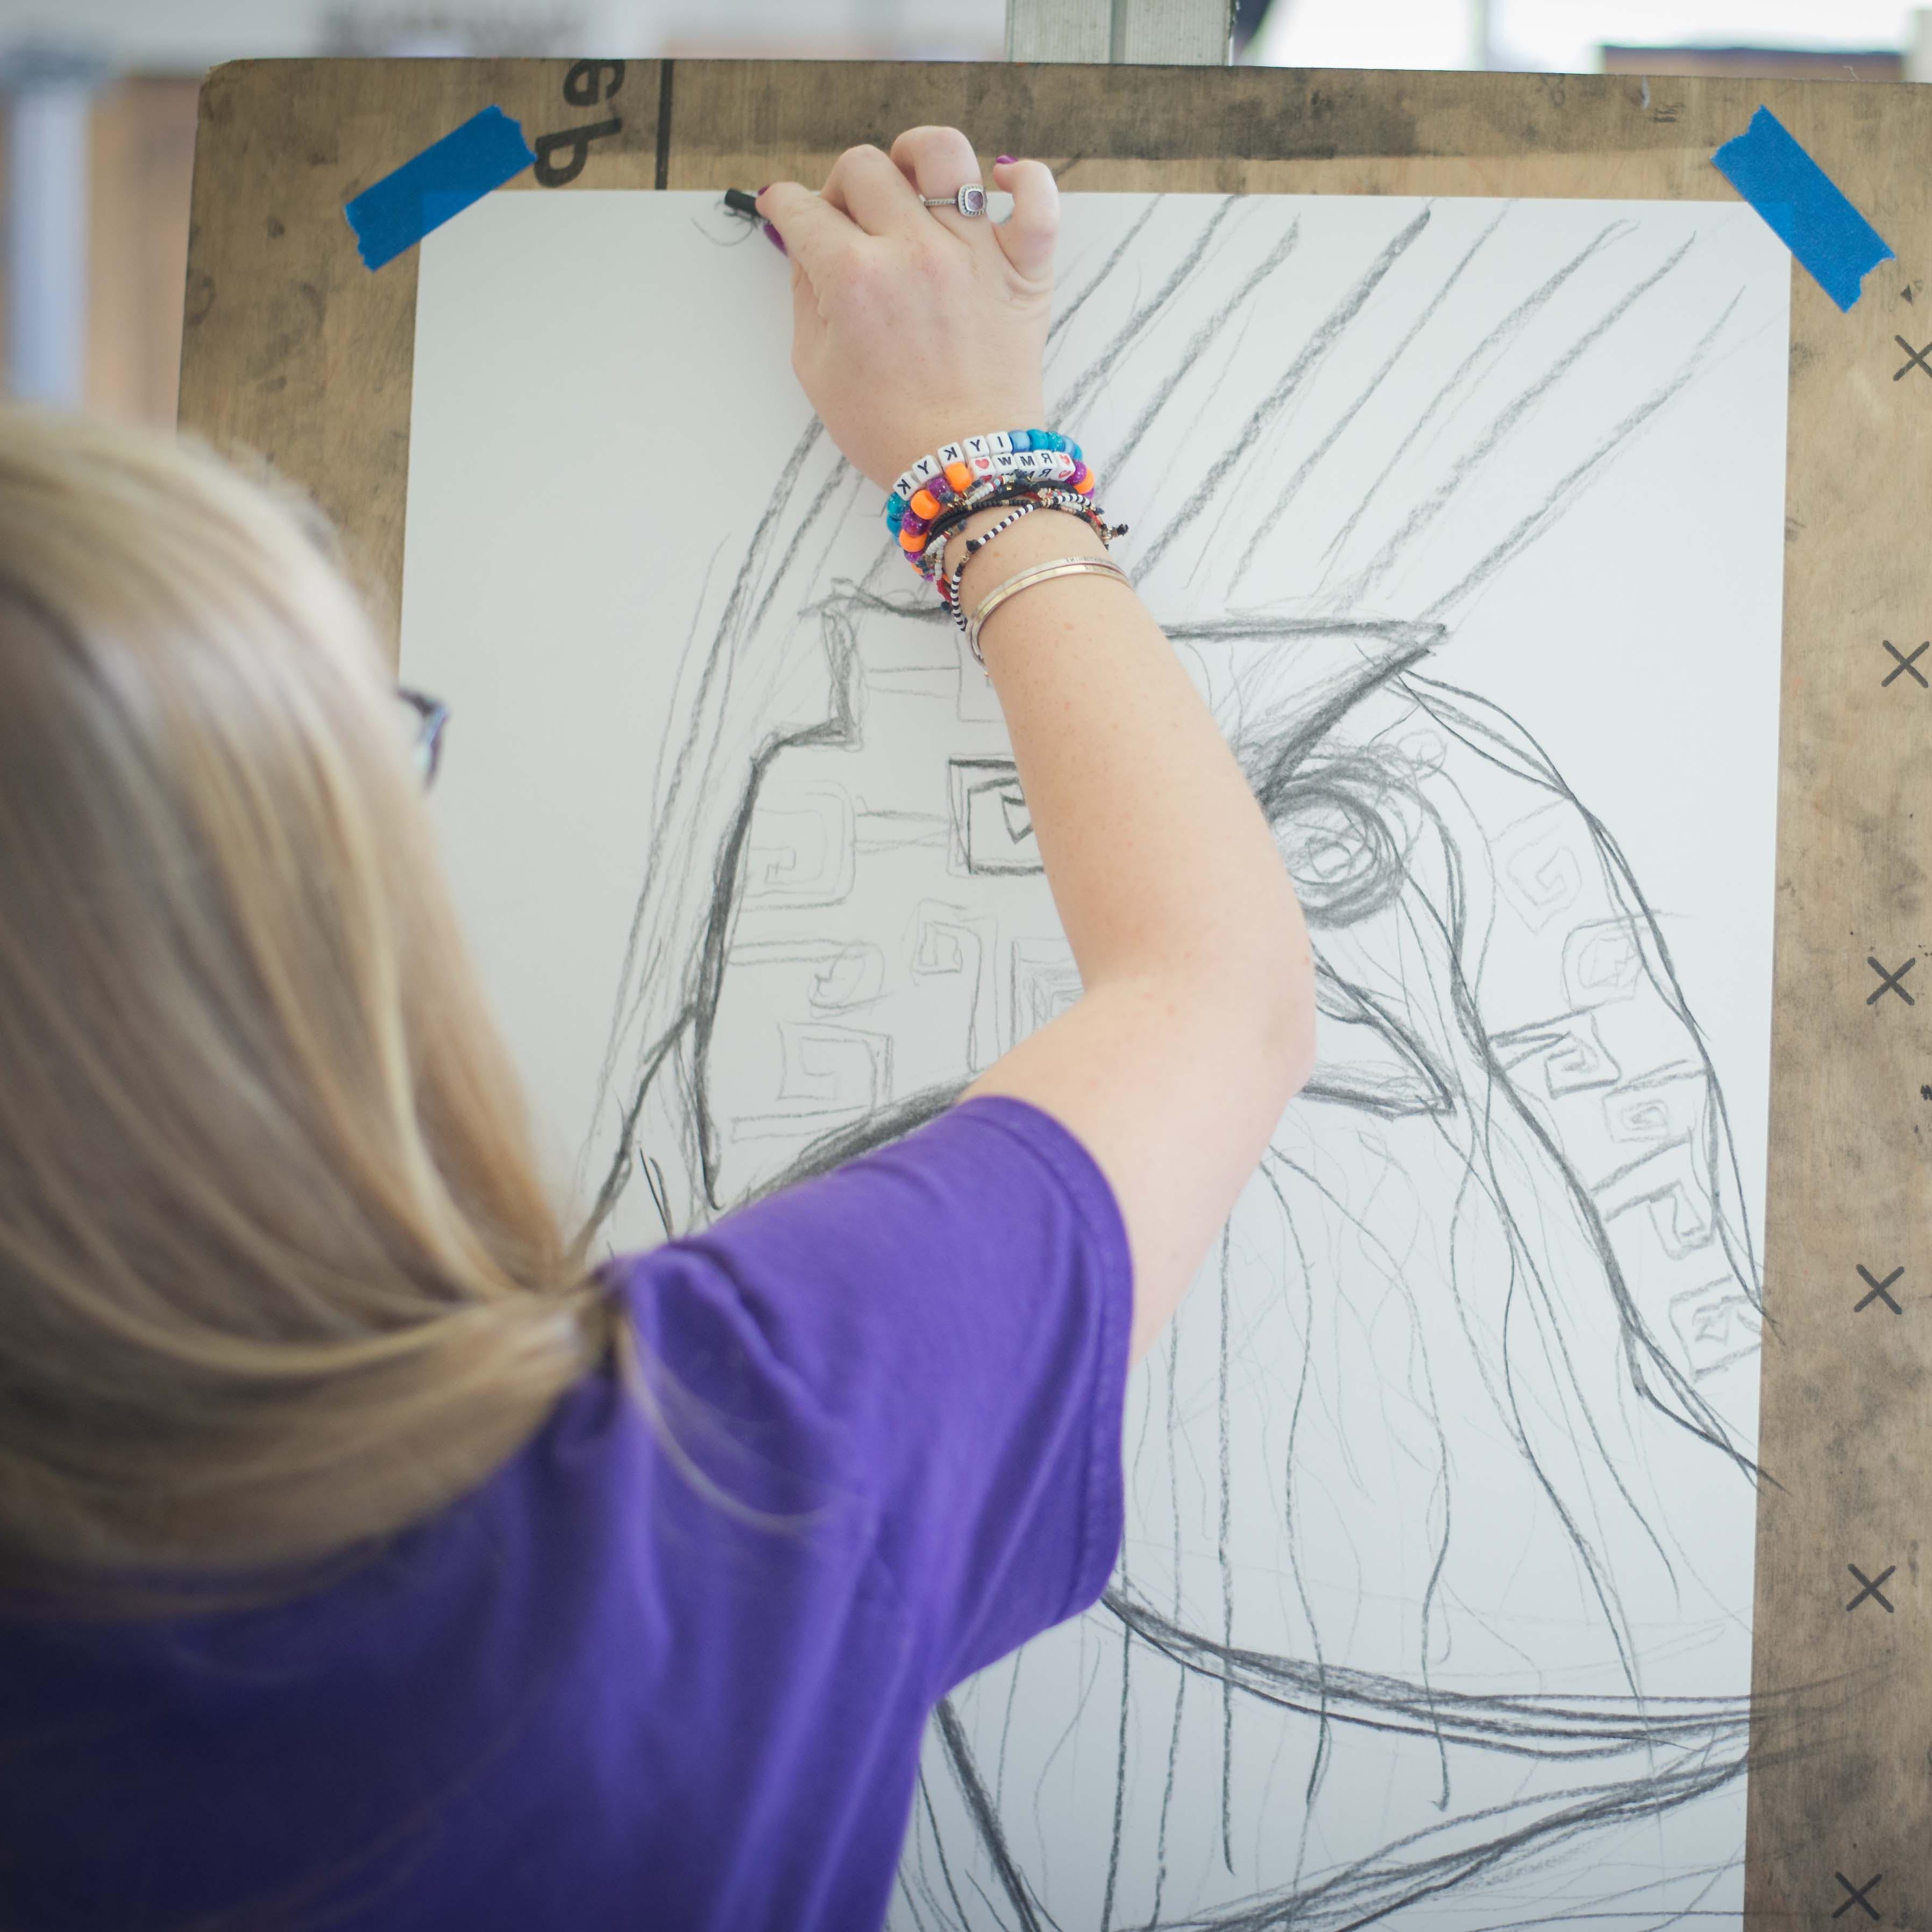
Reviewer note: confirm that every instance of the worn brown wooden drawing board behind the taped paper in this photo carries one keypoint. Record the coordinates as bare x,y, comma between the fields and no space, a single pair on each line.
298,353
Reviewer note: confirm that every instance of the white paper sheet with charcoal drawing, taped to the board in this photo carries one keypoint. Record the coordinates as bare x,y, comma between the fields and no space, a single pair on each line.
1435,1605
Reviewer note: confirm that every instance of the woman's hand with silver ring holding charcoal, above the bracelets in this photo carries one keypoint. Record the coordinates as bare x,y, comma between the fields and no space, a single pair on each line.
913,326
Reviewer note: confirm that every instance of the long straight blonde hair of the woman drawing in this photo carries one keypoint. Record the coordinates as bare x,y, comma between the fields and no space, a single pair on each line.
277,1268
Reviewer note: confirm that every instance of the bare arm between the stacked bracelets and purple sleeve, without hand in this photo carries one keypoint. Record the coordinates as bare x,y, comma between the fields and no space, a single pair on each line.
1197,1013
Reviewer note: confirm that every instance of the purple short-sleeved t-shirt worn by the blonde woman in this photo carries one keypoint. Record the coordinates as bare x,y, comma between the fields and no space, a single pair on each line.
608,1690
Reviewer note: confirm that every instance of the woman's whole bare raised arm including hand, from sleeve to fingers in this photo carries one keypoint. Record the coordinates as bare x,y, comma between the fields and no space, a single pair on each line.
1197,1017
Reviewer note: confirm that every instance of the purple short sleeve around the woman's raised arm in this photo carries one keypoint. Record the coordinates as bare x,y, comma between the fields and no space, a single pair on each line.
940,1328
